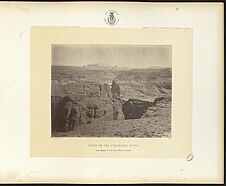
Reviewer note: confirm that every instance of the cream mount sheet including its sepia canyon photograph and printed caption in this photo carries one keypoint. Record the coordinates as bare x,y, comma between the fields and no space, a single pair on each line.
126,93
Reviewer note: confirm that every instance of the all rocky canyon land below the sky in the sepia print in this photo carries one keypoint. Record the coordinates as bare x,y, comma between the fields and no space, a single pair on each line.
111,103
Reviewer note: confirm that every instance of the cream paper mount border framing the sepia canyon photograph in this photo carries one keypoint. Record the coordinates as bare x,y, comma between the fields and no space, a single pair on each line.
42,144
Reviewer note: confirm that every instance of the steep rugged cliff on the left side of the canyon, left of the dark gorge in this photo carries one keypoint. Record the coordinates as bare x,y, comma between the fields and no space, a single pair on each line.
79,103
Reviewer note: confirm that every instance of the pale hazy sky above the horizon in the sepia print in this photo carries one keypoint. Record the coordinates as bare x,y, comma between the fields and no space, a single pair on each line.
138,56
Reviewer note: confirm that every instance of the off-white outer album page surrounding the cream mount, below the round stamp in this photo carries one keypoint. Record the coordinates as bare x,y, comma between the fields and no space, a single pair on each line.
206,20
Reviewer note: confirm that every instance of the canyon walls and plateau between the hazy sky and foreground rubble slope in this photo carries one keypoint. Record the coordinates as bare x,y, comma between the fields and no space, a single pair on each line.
81,97
